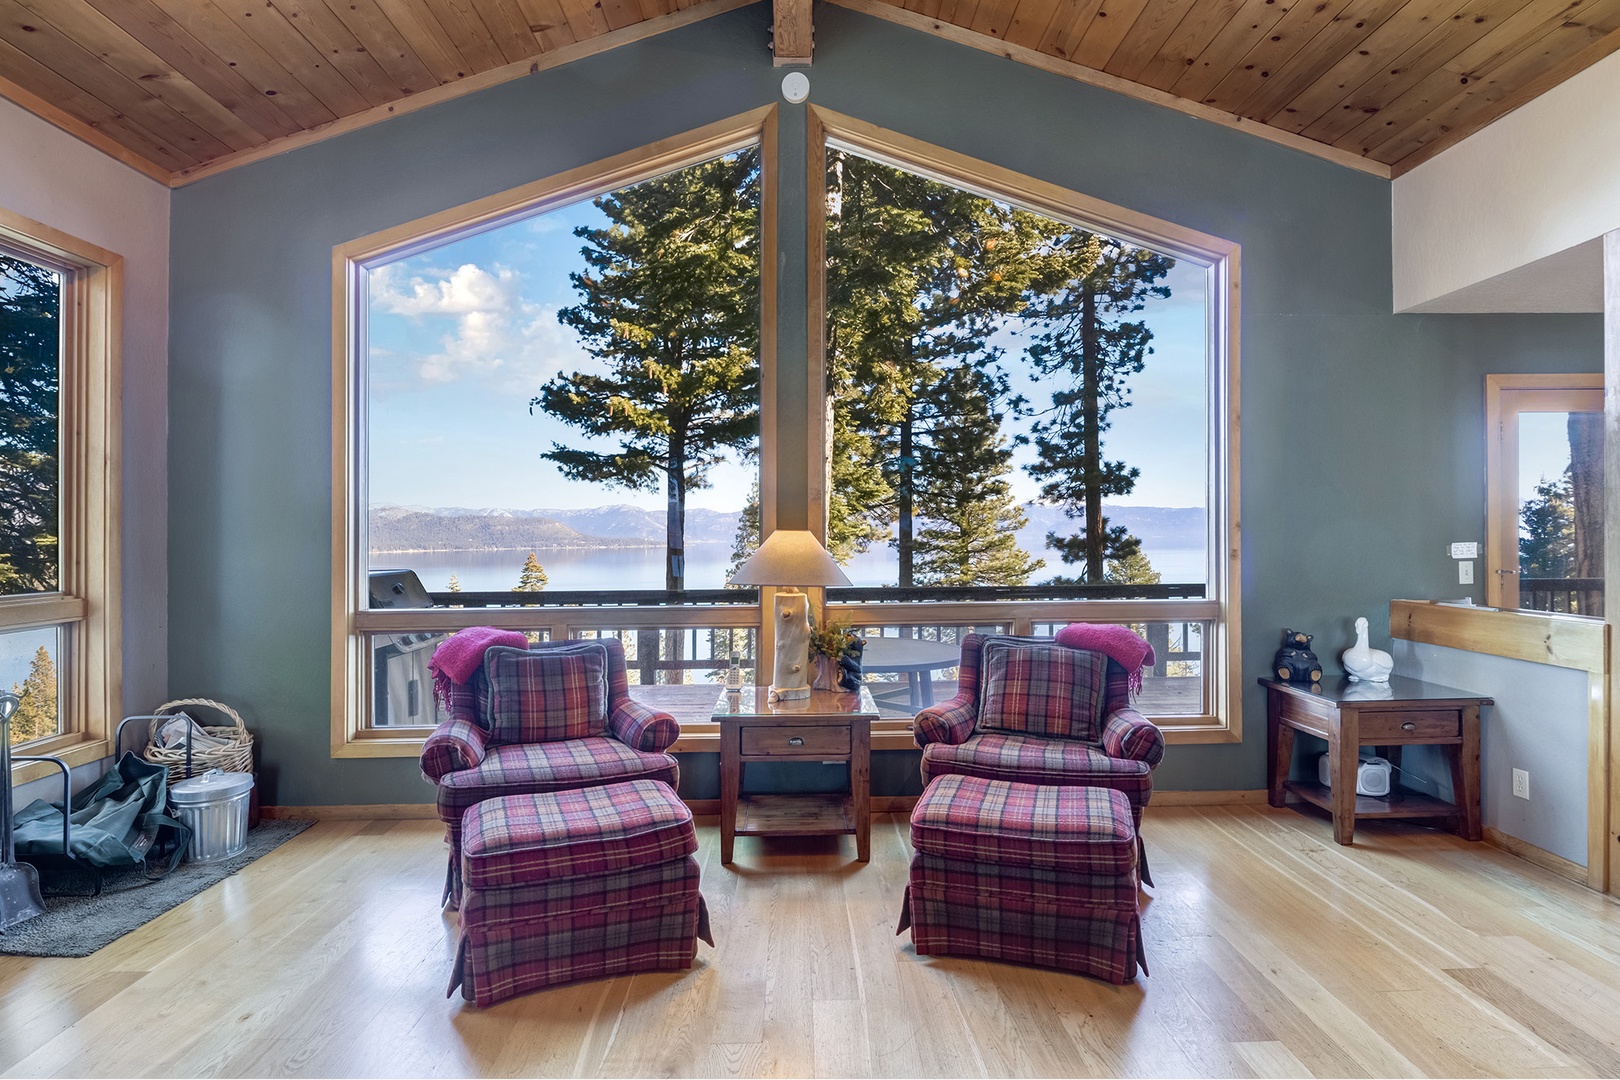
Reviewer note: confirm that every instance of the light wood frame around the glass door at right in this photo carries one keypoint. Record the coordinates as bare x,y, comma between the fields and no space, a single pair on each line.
1506,399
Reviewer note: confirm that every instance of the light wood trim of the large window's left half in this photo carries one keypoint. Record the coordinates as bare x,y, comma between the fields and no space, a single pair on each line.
351,619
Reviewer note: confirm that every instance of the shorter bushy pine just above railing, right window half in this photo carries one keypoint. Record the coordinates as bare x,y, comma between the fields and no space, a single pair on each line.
968,514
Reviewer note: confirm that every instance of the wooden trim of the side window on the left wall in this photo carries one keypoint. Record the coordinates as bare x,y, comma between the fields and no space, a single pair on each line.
88,603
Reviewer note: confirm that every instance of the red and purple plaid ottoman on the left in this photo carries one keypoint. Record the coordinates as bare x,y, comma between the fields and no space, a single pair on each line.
578,885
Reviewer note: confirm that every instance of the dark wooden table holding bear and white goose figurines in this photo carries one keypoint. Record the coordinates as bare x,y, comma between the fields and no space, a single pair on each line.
1354,715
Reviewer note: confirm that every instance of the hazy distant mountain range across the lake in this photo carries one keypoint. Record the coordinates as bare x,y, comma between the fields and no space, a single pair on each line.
463,529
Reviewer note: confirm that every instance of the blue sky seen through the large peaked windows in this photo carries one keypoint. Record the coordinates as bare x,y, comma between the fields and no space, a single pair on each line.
464,336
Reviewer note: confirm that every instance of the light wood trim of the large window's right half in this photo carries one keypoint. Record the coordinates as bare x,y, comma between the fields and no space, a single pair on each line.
1222,258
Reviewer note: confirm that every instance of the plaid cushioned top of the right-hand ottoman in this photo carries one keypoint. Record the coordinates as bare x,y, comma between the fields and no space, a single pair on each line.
1076,830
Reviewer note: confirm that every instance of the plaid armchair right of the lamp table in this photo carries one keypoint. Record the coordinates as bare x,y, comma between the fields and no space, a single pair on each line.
1018,729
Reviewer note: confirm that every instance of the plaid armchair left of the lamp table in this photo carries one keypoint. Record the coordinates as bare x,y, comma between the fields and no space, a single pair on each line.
474,759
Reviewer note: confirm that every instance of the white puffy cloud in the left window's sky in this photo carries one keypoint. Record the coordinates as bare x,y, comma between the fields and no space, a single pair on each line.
495,336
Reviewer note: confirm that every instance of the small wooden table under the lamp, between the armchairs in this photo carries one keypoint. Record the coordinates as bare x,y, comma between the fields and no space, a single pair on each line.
827,726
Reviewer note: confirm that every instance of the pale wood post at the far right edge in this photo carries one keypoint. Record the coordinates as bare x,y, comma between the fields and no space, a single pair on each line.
1613,527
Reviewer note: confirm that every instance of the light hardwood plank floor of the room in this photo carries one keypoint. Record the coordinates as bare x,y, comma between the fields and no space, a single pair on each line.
1276,953
